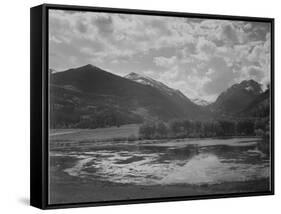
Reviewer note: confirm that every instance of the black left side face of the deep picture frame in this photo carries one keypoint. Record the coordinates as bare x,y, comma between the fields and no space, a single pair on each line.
36,143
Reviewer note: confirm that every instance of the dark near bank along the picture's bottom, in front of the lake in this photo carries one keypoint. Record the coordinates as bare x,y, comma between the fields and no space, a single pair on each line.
70,191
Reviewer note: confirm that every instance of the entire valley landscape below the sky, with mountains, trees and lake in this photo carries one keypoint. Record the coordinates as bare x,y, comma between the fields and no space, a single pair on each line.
132,137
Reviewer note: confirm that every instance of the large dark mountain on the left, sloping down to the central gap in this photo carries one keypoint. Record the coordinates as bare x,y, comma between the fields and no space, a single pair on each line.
89,96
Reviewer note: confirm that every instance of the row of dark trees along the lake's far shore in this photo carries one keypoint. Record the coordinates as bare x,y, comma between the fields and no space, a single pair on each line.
213,128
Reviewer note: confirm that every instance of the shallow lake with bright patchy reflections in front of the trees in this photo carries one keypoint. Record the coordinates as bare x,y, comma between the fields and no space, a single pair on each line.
171,162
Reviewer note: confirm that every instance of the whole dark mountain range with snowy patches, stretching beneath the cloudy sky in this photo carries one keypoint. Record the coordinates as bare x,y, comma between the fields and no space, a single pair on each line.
90,97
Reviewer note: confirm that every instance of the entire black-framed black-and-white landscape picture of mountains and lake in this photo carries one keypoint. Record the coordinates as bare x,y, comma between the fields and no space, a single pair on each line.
134,106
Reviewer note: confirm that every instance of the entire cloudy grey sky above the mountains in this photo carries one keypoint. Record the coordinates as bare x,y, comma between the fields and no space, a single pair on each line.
199,57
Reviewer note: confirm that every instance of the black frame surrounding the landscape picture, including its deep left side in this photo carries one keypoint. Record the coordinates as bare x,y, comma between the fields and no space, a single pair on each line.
39,104
